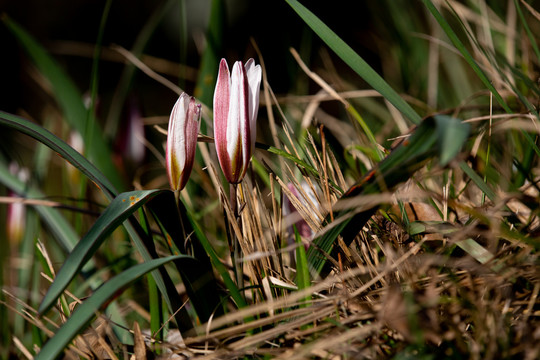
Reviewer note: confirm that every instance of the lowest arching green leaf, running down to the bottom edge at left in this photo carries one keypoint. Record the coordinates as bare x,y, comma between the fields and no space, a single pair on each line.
87,310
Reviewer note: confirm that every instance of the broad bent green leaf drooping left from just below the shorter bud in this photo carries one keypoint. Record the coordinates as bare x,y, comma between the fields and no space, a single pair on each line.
119,210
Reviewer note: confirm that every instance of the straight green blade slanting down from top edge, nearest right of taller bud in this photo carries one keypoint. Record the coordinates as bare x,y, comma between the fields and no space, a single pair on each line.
351,58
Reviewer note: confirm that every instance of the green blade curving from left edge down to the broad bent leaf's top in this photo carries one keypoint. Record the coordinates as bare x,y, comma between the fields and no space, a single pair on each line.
59,146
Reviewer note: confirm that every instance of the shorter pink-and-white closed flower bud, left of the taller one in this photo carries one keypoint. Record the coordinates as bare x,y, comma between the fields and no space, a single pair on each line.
182,140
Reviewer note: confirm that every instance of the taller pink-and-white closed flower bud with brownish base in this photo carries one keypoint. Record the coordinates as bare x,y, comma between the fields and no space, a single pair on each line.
236,103
